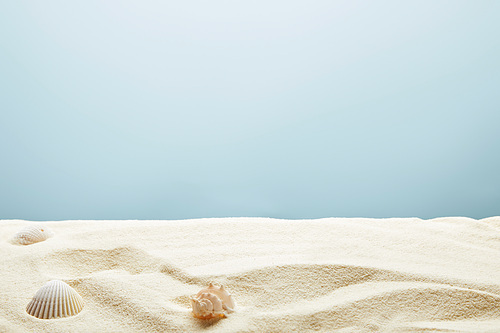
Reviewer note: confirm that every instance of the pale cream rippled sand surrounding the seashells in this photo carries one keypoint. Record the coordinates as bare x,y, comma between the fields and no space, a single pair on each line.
326,275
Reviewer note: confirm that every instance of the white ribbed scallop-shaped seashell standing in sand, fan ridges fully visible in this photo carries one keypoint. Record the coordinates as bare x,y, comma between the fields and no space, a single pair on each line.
56,299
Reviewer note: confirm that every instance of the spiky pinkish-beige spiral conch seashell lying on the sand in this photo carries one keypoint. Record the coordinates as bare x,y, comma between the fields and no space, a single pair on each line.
212,302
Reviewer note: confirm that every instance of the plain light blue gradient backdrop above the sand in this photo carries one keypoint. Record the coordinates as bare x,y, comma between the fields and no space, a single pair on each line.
287,109
